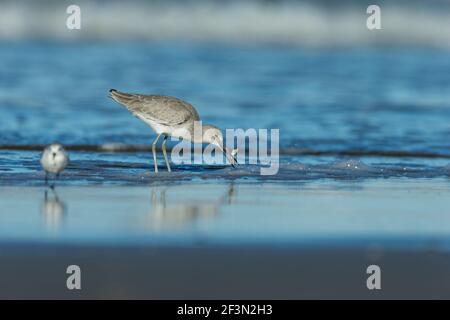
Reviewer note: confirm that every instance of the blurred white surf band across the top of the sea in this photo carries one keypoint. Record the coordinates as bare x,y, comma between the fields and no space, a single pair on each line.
306,23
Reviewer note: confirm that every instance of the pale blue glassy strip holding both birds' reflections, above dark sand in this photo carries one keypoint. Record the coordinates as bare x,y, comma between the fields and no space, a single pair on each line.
406,213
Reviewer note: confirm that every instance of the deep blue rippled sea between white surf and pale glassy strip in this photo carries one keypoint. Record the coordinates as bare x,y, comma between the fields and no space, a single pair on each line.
335,105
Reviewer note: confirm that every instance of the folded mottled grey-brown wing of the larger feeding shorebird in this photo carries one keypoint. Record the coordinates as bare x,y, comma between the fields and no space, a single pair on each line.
162,109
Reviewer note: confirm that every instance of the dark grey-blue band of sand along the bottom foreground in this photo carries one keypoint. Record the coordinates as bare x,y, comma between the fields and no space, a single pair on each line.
220,272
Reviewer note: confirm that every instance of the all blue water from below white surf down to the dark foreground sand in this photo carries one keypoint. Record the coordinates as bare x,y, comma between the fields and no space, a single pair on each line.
363,140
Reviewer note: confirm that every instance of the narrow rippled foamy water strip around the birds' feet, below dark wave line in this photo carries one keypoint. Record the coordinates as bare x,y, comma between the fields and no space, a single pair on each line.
87,168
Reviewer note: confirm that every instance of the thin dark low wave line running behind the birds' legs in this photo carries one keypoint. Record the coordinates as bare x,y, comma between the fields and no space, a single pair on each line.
121,147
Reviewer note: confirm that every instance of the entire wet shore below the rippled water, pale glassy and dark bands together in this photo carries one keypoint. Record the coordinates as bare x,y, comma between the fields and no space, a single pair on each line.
226,240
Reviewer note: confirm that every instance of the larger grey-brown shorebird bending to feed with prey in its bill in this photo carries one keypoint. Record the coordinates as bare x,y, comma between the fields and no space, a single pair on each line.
167,115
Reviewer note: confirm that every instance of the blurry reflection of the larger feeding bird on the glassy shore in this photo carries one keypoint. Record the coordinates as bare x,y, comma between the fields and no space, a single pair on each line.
176,216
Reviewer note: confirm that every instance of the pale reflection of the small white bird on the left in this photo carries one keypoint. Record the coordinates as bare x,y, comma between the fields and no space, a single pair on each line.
53,210
